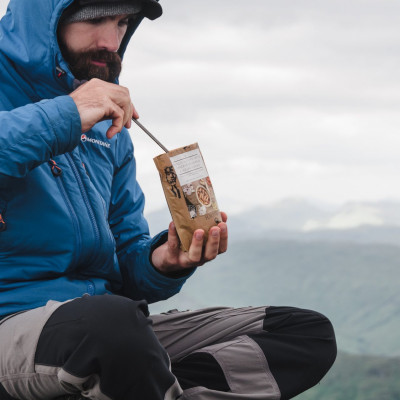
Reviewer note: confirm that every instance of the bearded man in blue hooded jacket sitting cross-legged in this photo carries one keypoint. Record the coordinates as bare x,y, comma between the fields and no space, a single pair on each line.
77,264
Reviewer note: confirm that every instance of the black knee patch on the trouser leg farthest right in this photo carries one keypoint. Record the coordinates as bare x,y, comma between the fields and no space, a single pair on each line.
299,345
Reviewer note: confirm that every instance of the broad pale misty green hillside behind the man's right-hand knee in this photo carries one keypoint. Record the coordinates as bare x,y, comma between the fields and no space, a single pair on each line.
355,285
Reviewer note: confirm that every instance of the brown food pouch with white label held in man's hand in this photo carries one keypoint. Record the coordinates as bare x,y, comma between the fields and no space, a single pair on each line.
188,191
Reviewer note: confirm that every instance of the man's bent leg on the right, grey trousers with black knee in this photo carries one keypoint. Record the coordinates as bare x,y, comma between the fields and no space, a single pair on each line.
250,353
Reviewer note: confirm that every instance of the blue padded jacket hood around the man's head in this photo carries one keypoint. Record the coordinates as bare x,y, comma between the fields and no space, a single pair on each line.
28,40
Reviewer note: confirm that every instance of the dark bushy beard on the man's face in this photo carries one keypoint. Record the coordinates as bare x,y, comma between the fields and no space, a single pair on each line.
83,69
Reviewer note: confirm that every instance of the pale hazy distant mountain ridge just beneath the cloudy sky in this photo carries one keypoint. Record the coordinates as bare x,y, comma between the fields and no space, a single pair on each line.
298,219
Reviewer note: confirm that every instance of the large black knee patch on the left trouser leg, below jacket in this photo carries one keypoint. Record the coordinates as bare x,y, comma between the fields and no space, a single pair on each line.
112,337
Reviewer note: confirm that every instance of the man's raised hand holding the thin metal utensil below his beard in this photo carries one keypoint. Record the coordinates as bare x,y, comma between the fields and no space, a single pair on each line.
98,100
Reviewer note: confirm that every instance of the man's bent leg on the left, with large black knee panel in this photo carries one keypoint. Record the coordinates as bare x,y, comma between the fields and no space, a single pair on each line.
102,347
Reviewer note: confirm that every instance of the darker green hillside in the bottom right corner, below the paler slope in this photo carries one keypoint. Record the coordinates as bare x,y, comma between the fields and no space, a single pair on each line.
359,378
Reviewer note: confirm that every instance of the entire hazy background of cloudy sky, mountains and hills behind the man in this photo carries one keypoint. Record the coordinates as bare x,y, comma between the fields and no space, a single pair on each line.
295,105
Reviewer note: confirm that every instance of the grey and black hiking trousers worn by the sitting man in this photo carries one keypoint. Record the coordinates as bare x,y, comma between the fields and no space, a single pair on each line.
108,348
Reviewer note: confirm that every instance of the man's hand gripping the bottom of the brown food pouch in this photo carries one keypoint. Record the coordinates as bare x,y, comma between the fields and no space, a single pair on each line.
169,258
